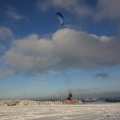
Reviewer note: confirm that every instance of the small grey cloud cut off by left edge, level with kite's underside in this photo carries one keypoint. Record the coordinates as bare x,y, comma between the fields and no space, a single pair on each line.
5,32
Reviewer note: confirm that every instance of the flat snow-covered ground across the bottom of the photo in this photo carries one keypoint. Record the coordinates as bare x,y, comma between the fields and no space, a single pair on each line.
98,111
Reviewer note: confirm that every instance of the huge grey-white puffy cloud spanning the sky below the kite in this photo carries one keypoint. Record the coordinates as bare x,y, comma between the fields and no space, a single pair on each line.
67,48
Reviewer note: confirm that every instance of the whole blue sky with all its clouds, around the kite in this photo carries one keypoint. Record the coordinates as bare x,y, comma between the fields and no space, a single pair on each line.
40,59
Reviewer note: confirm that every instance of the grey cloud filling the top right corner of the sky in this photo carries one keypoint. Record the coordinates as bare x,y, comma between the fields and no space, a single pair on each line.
108,9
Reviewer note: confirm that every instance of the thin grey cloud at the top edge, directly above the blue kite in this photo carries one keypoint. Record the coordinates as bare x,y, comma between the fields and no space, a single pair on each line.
73,6
